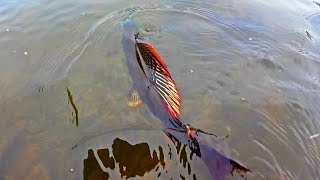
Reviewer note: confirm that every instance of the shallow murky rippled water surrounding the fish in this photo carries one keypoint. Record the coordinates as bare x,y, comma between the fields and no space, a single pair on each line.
249,69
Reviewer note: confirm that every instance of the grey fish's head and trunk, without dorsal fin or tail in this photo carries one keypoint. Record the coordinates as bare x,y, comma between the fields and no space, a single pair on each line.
141,83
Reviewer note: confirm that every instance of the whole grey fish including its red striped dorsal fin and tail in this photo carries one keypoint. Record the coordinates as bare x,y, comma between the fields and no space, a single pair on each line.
155,87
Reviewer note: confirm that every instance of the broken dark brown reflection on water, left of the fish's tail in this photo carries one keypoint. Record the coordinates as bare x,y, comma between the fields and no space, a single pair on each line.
133,160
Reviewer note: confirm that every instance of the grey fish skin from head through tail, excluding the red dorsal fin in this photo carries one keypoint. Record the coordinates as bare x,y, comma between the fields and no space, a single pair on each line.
219,166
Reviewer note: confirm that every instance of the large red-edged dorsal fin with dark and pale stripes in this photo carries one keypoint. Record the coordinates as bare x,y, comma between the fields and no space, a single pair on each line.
157,72
